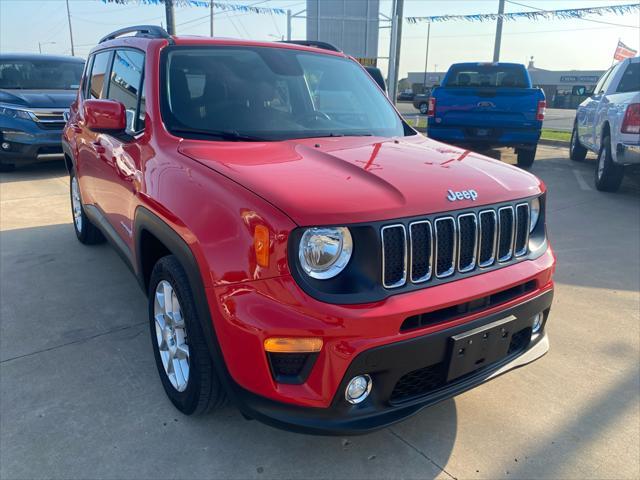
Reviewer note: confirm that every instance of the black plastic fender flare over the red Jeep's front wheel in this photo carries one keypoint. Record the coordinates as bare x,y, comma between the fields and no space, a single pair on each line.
146,220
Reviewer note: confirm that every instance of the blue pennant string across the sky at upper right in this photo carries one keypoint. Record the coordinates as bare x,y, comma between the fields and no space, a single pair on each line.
566,14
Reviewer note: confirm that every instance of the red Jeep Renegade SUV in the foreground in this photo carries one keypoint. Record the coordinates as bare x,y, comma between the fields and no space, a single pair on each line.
305,252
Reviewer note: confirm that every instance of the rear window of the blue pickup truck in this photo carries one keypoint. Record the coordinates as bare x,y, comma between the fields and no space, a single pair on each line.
493,76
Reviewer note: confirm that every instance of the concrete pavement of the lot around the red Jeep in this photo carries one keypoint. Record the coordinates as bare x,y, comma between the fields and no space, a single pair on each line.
80,396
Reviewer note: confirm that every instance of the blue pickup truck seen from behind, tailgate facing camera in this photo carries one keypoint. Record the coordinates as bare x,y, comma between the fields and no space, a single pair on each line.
486,105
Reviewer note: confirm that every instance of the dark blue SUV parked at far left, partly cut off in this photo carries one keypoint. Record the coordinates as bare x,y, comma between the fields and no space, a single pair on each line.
35,94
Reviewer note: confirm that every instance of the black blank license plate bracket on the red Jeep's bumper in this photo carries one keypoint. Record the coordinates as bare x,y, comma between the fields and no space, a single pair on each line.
481,346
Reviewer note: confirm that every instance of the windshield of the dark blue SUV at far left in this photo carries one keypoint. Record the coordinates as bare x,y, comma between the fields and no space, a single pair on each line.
40,74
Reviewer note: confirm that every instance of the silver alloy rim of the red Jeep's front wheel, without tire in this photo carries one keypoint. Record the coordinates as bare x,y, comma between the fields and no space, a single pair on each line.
171,335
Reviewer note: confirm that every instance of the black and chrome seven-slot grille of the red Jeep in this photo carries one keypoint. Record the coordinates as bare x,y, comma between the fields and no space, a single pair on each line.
461,243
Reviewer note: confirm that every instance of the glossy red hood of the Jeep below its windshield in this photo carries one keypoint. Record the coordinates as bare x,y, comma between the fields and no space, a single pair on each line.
342,180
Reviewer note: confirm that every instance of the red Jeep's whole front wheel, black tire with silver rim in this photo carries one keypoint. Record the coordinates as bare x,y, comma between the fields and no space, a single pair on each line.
181,352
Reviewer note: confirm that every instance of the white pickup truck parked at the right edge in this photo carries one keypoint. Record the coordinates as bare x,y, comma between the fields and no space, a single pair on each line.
608,124
